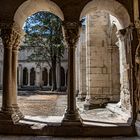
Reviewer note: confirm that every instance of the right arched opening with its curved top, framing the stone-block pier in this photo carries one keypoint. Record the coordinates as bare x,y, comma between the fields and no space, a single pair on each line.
102,82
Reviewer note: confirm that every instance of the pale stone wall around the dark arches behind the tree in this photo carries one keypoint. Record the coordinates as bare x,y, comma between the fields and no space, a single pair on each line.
24,63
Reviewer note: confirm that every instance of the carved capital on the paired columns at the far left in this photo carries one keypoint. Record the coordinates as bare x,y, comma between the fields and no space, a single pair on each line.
10,34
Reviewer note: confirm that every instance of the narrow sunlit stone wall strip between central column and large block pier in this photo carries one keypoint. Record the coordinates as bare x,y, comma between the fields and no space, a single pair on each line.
81,65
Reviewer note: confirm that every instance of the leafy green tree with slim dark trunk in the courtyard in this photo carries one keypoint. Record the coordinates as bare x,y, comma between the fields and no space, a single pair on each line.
44,35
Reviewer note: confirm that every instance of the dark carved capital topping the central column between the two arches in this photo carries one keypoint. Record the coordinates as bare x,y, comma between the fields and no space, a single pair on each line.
71,31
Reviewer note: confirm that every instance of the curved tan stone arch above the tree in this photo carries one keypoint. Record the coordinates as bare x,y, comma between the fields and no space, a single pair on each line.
32,6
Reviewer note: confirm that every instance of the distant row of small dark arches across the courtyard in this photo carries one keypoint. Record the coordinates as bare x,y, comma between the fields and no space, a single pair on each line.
38,78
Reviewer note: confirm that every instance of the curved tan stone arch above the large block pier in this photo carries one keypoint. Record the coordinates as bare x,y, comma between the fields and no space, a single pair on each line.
113,7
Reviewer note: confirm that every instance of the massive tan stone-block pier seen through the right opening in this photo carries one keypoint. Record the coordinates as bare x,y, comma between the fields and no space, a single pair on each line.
102,62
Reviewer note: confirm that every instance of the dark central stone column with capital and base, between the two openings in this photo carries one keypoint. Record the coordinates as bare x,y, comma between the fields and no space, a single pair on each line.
71,35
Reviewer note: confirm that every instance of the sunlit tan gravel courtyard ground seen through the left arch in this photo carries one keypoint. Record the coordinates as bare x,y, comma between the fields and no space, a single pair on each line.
43,105
